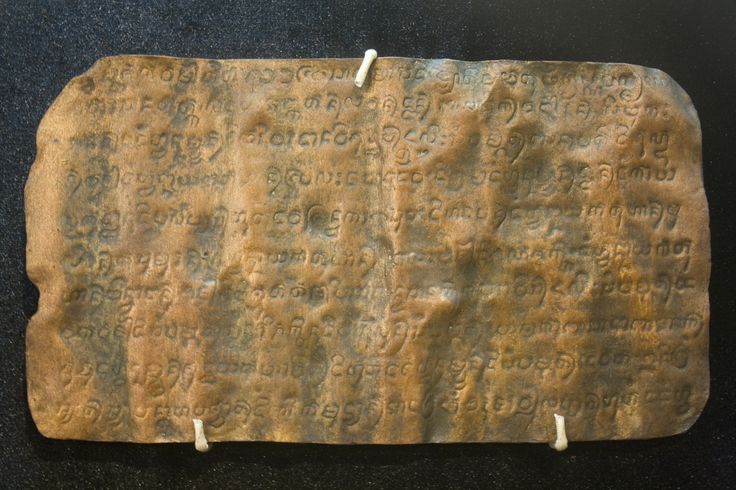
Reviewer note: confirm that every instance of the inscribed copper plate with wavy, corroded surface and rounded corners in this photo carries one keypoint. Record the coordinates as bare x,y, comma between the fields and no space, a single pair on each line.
453,252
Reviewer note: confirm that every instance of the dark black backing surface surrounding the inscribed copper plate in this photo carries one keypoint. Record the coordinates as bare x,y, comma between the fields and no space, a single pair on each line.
43,45
